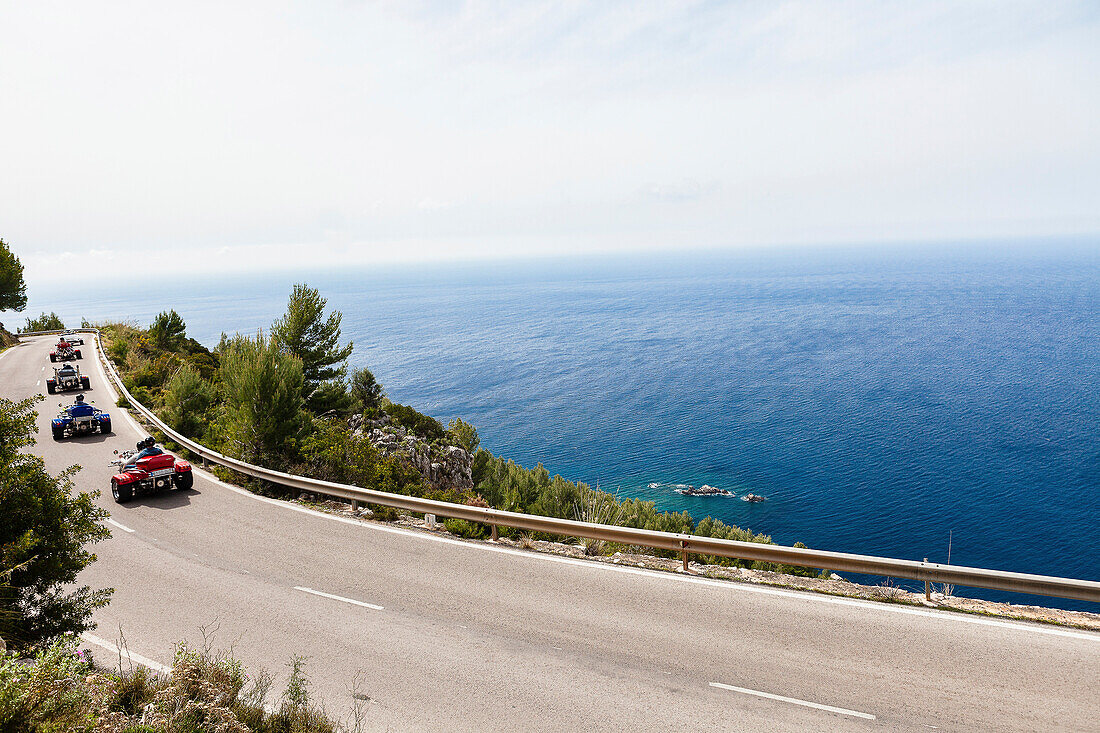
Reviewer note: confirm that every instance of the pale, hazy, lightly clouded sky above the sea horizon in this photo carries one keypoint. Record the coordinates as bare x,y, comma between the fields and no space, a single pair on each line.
289,135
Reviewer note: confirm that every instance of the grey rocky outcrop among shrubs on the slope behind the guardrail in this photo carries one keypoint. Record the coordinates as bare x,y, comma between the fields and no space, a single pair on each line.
444,467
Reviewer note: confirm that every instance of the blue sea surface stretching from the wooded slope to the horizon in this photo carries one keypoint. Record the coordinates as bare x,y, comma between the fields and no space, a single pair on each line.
897,402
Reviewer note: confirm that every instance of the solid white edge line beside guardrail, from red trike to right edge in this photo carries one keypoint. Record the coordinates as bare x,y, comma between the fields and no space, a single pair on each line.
730,585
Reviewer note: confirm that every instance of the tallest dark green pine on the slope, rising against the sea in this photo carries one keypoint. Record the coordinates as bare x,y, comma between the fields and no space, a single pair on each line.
307,334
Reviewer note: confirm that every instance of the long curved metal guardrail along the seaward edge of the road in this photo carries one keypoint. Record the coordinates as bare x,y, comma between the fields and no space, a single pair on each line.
1020,583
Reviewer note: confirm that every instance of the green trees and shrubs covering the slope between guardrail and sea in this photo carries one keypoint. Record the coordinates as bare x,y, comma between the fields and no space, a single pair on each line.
287,400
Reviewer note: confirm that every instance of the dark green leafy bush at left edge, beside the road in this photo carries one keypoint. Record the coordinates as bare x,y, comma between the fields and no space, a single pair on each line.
45,528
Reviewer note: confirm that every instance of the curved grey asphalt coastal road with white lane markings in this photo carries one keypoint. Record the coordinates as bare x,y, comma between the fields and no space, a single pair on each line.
435,634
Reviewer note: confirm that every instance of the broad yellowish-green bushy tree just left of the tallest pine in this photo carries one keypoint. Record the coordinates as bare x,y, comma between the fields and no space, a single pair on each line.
262,385
